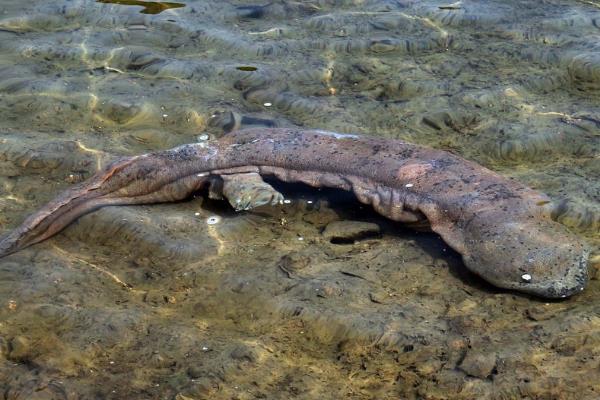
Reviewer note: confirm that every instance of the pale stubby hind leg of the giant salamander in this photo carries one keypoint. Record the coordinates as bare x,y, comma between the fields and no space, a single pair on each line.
245,191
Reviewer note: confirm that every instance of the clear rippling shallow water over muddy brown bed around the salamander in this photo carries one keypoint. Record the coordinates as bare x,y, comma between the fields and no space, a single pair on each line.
154,302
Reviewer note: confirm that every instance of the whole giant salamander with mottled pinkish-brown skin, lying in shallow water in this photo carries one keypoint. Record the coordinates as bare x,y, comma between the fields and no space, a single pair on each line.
502,229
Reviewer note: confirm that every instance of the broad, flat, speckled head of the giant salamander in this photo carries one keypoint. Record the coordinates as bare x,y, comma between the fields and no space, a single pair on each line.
539,257
